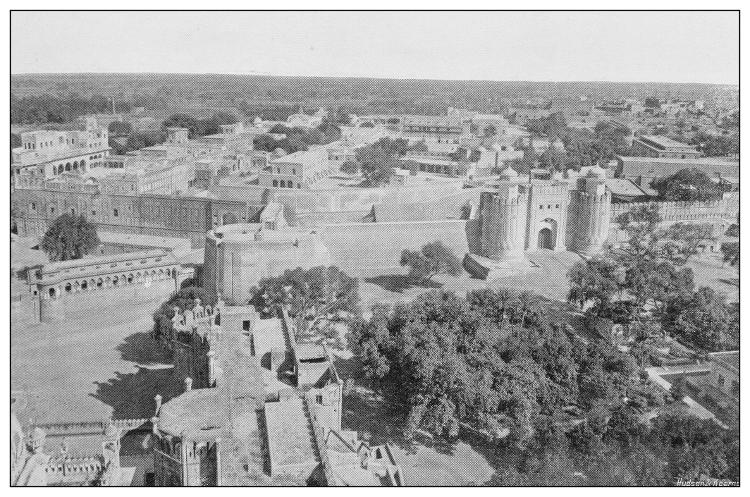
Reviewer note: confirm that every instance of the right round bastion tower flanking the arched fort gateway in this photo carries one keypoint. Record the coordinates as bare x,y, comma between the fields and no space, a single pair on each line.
593,201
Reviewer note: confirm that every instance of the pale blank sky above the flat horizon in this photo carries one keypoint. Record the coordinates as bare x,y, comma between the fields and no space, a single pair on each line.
555,46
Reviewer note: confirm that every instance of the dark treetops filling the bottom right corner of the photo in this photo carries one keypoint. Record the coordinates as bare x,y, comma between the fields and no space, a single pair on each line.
618,449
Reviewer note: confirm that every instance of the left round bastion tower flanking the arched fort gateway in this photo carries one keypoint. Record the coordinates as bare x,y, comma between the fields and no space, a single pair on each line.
503,215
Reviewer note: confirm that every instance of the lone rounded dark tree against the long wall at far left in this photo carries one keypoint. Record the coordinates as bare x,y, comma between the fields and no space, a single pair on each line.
69,237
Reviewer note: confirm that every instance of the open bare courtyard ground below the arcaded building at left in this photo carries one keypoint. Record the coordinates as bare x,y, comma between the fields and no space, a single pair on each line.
99,362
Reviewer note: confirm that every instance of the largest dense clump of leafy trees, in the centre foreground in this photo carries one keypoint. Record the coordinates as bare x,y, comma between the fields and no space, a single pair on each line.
490,361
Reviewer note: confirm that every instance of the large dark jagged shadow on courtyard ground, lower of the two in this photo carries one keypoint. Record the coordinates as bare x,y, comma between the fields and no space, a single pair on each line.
131,395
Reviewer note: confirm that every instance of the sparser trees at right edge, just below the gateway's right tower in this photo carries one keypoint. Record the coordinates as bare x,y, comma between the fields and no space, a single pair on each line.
646,284
